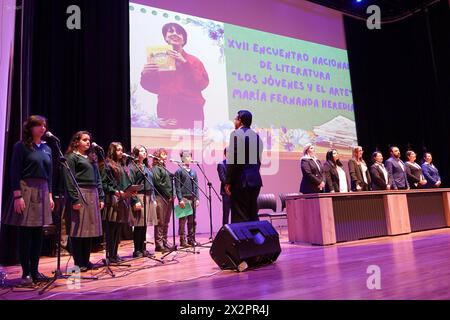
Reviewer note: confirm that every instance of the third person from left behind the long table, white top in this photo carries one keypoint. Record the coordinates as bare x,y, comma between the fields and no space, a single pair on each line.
359,172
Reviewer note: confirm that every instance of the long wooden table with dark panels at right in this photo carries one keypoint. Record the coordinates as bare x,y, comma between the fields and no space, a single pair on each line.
328,218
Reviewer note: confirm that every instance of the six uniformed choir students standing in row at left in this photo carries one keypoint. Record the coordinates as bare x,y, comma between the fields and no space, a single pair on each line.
103,191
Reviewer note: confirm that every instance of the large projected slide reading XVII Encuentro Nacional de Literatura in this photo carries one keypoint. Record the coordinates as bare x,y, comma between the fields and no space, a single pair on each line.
189,77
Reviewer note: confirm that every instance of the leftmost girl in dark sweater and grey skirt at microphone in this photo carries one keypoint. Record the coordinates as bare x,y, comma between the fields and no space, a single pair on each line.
31,182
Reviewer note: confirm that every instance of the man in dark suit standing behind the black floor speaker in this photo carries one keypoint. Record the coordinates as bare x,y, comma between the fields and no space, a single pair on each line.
243,181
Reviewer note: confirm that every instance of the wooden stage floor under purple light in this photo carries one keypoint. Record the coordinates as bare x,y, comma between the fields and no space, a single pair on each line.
413,266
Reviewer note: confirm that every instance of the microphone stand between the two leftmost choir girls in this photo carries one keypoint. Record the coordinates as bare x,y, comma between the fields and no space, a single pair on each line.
58,273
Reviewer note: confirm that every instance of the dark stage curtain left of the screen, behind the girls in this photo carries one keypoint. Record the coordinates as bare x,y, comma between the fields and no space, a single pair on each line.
78,79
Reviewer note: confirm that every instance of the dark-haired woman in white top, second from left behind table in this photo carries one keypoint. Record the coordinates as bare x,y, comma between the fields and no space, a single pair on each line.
335,176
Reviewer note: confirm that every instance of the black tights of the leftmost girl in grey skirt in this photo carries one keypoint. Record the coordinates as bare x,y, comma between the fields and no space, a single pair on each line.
30,244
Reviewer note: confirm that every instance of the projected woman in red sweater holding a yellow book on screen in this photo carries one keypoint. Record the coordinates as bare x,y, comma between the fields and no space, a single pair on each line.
180,100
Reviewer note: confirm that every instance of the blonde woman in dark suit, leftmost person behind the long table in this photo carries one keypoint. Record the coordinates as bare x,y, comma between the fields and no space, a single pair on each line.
313,177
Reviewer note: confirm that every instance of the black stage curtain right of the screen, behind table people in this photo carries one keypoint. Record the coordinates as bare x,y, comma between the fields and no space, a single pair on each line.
400,80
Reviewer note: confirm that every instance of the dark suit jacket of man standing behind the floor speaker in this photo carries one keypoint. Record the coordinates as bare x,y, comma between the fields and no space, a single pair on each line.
243,169
